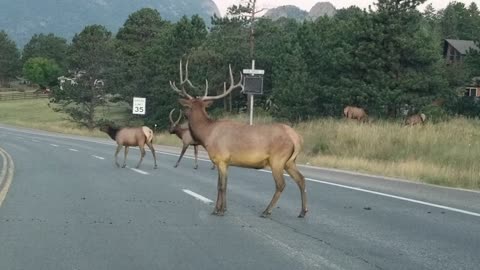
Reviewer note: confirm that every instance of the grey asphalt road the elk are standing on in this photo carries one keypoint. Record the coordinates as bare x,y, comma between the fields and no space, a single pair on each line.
69,207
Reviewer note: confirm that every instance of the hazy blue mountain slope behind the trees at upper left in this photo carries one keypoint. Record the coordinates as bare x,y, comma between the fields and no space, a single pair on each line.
21,19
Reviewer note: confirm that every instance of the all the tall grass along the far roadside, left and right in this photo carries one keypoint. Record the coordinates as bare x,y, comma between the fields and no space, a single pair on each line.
444,154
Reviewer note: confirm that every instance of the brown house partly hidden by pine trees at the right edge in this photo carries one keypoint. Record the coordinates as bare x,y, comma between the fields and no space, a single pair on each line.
454,50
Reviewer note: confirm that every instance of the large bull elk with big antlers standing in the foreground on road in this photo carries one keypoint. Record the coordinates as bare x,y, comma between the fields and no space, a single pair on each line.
230,143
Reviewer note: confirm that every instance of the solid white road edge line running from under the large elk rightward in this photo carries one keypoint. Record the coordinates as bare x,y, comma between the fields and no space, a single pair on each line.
390,196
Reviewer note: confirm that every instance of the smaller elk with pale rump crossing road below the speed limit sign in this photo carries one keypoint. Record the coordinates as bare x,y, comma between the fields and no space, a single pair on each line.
127,137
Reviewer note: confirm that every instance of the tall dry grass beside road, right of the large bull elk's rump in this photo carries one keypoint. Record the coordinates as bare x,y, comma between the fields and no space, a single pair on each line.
444,153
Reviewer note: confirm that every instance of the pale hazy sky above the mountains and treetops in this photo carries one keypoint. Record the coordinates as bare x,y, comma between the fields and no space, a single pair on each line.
308,4
